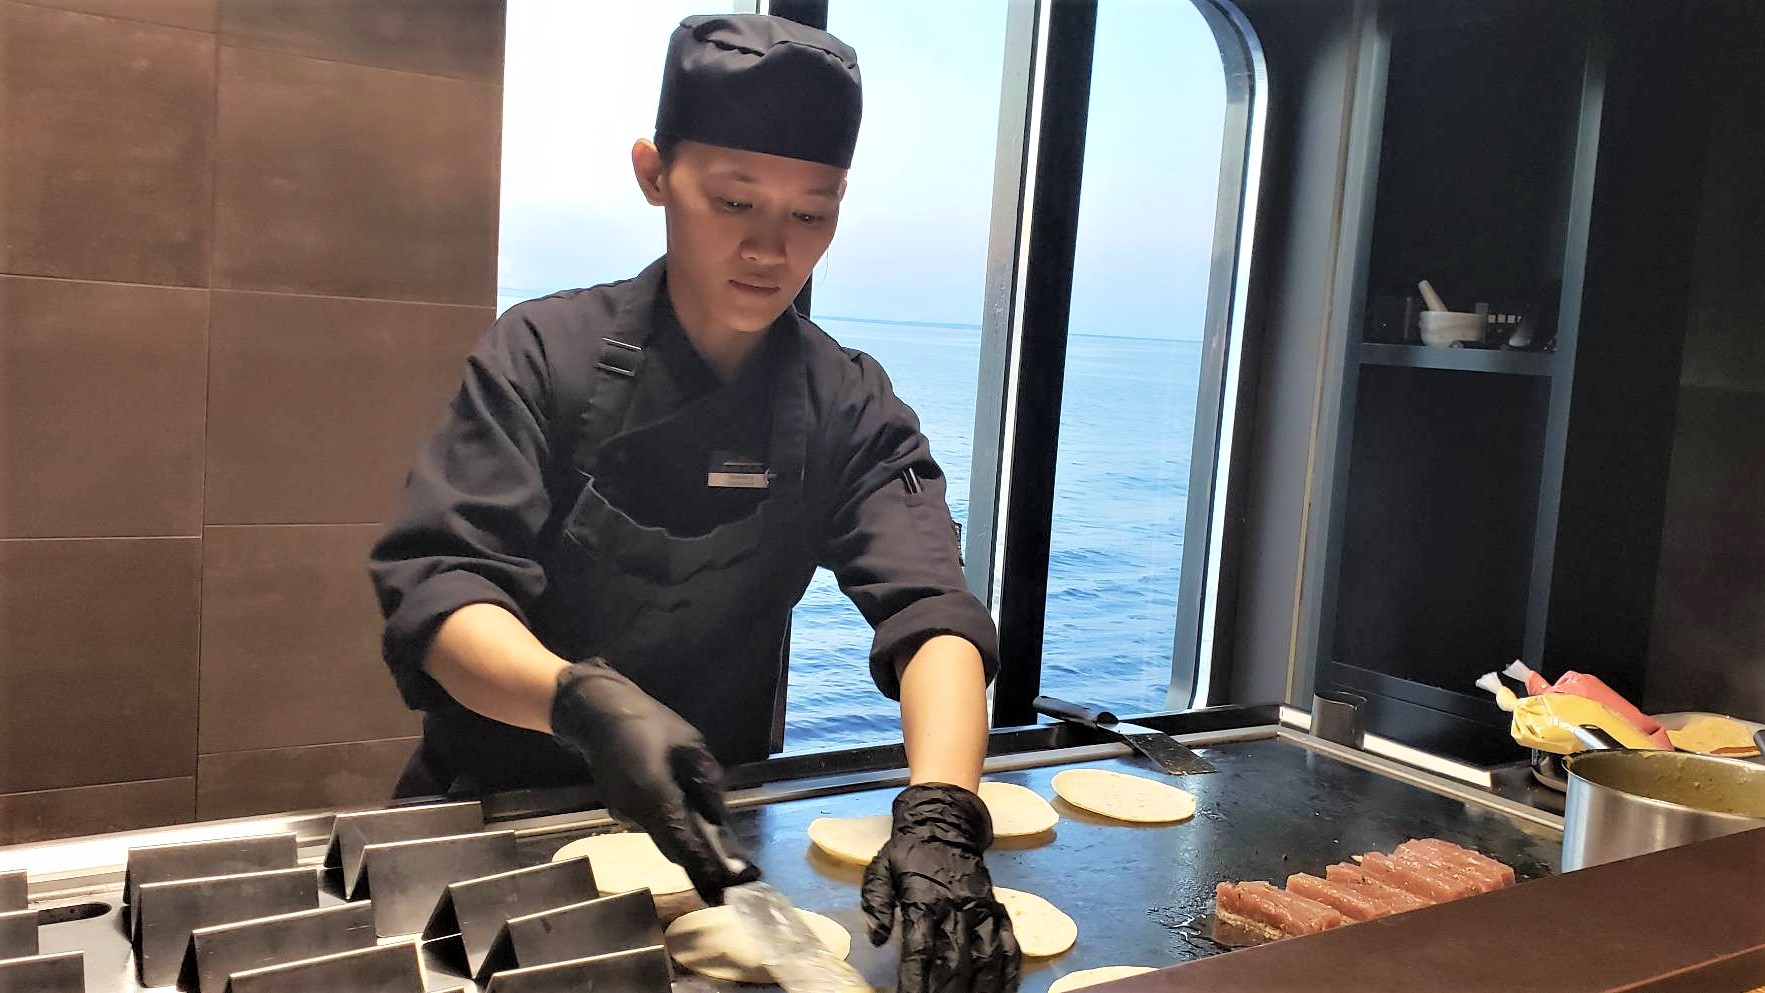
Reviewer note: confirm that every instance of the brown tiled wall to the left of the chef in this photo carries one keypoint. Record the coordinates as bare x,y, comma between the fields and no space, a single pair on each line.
244,250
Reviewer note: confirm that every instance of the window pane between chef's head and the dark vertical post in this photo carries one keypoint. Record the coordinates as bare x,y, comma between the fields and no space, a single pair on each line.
903,283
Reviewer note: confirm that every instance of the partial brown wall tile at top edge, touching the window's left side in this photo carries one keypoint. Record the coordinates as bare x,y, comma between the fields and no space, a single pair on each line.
442,38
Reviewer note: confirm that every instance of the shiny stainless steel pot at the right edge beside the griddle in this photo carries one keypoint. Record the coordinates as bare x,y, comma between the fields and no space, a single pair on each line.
1628,802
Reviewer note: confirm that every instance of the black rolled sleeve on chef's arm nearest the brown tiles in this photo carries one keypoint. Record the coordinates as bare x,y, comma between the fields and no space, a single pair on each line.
472,509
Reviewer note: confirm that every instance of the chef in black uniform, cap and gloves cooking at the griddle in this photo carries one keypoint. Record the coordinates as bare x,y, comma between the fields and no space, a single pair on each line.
597,555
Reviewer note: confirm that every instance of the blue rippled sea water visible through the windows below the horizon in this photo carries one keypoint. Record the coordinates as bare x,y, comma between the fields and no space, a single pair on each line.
1122,495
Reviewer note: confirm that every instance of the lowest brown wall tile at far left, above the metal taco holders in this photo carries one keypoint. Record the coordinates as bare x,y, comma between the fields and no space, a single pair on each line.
47,816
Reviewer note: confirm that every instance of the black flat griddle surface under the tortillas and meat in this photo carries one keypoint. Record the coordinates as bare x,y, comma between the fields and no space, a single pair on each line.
1145,895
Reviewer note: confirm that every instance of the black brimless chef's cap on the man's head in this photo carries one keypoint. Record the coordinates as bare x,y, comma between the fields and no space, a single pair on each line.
762,84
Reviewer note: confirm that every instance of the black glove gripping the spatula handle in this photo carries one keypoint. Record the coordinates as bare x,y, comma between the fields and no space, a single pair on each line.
652,768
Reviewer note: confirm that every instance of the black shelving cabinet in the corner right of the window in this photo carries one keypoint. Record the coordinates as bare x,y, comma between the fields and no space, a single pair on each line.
1485,505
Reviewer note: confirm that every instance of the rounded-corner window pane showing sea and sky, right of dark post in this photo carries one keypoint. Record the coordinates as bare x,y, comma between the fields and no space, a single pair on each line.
1134,355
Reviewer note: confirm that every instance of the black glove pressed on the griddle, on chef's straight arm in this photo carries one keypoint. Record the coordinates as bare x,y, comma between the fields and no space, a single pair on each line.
954,936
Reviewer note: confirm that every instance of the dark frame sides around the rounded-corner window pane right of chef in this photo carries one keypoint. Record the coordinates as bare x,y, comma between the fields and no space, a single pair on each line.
1039,174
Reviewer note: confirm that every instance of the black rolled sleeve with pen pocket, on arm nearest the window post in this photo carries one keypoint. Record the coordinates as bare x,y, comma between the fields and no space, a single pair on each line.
896,553
